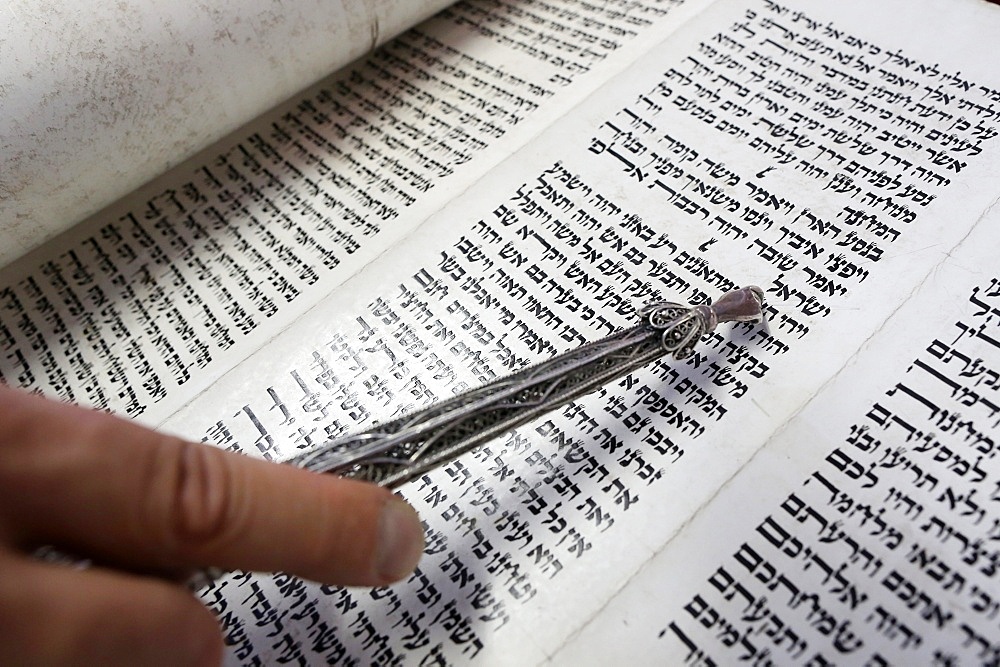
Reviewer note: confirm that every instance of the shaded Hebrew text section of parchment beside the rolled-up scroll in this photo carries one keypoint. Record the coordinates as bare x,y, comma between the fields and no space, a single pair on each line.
138,309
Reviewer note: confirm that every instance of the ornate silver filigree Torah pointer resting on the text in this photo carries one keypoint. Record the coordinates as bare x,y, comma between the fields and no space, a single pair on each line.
392,453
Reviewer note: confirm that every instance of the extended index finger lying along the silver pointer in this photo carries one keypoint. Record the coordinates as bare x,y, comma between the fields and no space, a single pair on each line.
107,488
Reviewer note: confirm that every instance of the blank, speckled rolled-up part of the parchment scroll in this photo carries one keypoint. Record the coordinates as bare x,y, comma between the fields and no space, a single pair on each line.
98,96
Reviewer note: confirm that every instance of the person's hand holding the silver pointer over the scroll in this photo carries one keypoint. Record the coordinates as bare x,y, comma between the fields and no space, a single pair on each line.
148,509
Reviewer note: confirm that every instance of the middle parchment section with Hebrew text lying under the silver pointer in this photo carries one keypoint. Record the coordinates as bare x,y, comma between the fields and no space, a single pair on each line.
727,156
